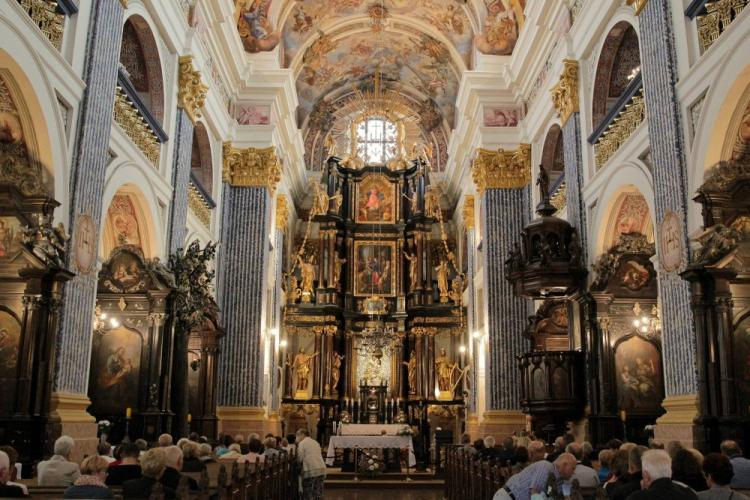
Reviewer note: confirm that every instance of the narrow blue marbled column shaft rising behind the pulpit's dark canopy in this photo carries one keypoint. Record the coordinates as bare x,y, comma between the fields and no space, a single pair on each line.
573,156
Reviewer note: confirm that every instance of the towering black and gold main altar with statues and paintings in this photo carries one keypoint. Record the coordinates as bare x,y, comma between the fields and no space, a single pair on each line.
374,329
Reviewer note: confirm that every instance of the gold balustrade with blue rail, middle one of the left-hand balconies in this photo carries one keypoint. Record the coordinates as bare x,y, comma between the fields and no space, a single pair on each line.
137,121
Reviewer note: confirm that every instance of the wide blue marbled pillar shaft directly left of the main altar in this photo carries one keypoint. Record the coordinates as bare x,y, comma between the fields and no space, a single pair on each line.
244,267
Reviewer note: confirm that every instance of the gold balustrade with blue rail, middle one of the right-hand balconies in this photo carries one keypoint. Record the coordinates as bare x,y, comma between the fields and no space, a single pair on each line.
620,122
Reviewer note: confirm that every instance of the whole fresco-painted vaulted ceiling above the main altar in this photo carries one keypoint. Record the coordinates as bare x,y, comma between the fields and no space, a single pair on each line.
417,49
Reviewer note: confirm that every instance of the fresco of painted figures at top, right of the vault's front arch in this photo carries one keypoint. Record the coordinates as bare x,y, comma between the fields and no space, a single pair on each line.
501,27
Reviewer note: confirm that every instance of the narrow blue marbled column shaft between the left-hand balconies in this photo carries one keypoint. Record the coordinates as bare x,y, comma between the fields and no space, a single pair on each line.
183,152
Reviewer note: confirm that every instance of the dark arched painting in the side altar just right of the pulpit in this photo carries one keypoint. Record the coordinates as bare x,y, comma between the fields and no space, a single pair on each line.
640,386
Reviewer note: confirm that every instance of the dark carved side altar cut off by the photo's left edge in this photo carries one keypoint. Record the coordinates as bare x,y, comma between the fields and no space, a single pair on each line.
31,279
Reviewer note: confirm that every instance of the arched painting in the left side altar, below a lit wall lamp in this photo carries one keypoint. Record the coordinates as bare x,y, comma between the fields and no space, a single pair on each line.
115,371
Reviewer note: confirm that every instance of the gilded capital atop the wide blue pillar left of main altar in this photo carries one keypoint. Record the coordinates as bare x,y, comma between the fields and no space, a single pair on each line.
251,167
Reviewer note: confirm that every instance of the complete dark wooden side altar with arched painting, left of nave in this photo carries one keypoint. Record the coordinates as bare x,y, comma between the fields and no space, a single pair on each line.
131,353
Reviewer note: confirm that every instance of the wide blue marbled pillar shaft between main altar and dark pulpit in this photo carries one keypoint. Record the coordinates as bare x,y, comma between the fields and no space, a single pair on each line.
504,213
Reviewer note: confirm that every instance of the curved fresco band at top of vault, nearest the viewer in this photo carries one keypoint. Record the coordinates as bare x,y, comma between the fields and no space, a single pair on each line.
307,18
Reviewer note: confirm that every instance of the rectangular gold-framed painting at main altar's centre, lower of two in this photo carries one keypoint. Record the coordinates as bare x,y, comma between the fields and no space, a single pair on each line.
374,268
